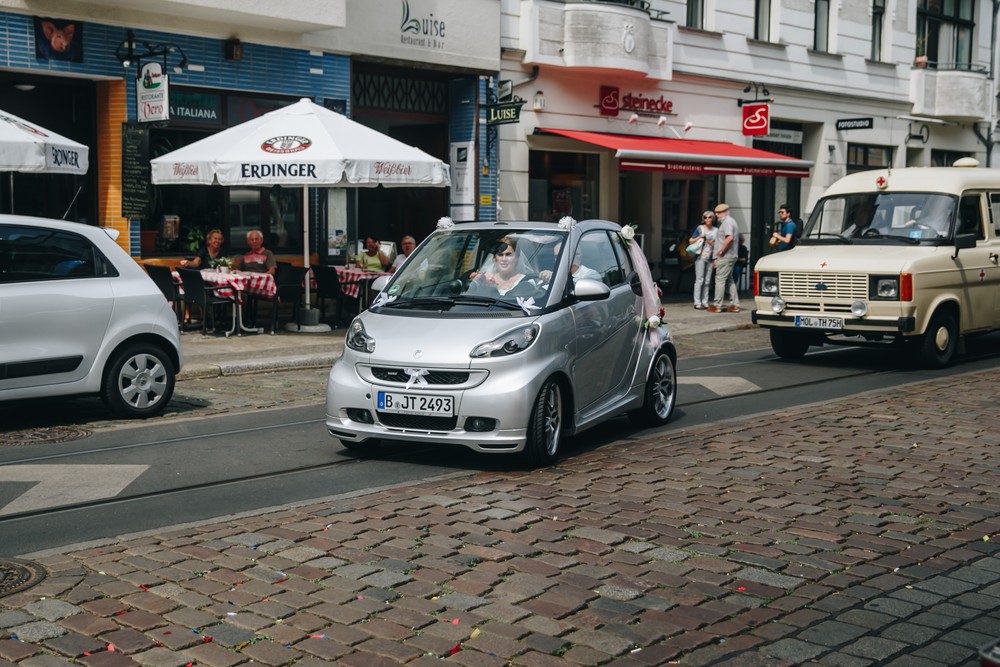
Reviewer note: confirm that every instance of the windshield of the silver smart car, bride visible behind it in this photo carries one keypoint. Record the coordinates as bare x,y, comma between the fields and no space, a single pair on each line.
460,270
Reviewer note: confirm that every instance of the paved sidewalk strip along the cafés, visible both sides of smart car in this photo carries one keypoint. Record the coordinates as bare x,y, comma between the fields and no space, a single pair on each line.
207,356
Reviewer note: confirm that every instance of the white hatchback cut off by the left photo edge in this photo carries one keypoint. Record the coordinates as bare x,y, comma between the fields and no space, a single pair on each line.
79,316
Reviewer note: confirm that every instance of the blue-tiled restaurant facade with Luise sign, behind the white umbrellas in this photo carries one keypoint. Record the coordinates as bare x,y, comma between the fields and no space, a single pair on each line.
417,71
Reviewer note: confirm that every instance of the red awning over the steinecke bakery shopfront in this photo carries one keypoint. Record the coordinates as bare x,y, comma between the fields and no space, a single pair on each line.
689,156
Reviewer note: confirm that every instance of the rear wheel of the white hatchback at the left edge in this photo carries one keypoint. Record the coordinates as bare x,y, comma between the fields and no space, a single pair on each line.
138,381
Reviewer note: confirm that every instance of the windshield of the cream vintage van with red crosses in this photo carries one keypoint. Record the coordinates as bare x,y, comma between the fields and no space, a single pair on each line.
883,217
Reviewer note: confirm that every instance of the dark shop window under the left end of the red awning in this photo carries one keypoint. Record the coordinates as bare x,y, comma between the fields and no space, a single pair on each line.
562,184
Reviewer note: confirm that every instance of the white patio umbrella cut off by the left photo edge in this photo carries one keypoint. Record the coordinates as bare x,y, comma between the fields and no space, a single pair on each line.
27,147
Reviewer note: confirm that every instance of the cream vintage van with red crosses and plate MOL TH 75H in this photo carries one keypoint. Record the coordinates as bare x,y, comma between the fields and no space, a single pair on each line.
900,255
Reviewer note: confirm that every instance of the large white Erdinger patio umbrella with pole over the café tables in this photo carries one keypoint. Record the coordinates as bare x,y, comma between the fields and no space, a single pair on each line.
303,144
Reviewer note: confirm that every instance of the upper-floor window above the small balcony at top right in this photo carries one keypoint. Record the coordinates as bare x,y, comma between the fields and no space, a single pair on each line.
944,32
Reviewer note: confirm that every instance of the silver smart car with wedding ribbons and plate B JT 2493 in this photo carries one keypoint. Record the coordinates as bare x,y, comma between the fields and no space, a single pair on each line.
504,337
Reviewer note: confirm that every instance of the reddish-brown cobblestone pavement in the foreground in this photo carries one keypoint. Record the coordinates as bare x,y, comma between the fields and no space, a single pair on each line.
861,534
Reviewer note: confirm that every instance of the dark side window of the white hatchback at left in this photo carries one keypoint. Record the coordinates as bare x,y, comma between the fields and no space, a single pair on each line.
31,253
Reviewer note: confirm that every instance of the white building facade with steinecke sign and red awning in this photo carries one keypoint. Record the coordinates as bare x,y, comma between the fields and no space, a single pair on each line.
649,113
